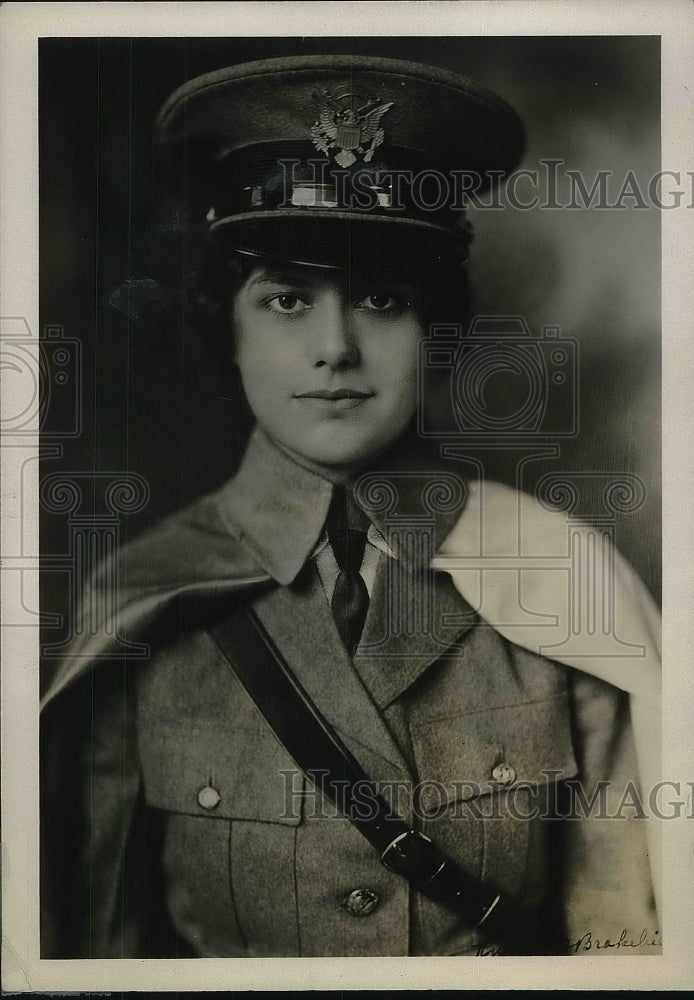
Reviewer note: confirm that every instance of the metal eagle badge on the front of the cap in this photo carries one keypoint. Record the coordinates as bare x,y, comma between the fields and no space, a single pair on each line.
348,127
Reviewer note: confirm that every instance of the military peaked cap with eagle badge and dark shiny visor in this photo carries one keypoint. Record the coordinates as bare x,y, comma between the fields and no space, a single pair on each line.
305,155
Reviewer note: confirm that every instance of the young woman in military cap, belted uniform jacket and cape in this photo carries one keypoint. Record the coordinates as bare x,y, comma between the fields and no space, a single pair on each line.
331,257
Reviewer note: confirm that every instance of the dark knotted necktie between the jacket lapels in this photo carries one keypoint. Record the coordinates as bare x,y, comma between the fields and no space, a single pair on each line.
347,526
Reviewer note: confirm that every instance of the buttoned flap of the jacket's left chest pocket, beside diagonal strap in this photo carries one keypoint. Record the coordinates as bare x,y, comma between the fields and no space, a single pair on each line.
206,770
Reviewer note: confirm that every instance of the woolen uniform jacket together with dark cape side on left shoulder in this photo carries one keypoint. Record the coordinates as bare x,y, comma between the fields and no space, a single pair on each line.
184,828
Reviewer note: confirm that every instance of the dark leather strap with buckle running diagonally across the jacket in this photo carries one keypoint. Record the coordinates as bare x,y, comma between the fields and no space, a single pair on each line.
316,748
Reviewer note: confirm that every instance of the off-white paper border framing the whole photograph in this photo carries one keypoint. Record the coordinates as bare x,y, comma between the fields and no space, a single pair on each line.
20,27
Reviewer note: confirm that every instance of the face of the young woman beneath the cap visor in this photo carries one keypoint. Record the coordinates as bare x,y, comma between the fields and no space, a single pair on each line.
329,363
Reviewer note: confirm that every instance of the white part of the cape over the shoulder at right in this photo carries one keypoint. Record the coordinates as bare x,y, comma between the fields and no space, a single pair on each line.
559,588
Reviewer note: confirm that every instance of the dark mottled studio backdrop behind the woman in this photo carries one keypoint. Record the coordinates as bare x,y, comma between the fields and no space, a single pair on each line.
118,243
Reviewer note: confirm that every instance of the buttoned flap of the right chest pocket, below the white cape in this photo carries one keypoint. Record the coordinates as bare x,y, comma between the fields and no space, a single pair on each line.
477,753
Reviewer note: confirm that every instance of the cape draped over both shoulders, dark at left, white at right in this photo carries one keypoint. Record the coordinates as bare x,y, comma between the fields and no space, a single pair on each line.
542,579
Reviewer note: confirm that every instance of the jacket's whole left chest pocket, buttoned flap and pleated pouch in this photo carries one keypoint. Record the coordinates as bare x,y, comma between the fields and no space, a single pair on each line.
232,802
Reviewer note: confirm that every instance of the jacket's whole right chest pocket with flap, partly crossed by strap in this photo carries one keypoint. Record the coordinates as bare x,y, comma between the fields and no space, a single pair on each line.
485,779
